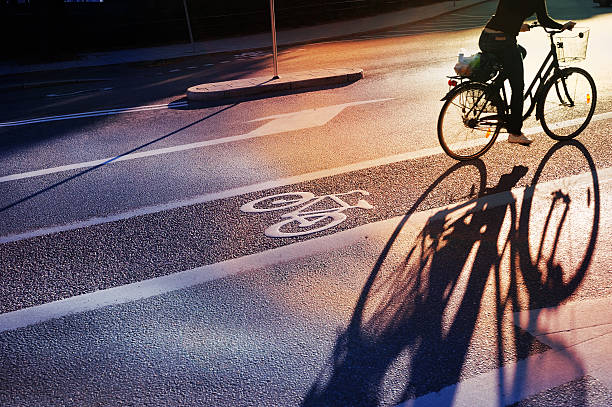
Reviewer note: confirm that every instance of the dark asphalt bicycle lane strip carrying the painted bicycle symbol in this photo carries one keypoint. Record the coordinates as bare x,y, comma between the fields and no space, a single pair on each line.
135,248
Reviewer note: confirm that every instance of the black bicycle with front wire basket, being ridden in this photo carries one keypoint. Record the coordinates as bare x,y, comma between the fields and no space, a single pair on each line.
474,111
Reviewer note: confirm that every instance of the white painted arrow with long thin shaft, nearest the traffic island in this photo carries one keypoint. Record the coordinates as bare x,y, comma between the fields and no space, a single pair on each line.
278,124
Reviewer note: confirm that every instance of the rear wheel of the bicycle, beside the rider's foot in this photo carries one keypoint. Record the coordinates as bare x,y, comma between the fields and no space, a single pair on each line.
469,122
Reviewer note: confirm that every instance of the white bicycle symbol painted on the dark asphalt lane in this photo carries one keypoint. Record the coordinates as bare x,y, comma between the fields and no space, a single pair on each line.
313,213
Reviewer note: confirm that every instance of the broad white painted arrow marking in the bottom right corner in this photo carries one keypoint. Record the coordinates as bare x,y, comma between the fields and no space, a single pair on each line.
581,337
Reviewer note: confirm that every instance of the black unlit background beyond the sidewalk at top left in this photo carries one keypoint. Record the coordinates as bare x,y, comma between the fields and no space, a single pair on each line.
43,29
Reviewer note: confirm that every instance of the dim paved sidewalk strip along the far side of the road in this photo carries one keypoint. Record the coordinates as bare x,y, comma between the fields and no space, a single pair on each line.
259,41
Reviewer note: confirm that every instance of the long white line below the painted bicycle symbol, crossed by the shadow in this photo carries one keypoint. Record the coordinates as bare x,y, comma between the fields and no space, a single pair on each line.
185,279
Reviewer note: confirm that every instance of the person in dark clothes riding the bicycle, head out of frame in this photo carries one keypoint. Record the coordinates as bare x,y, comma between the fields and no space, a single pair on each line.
499,38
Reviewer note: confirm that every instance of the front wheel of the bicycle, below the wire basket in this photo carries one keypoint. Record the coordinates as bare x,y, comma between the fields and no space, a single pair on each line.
567,103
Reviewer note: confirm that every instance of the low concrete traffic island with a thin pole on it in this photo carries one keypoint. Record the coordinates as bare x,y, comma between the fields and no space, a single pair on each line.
261,85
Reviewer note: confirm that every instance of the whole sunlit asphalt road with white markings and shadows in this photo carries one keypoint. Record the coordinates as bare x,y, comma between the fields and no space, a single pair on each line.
143,265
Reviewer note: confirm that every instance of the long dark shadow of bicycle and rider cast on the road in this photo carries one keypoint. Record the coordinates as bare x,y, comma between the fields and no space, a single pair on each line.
415,322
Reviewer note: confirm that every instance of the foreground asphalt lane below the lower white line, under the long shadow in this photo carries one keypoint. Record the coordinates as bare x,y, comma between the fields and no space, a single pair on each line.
374,314
